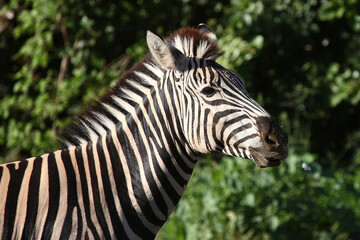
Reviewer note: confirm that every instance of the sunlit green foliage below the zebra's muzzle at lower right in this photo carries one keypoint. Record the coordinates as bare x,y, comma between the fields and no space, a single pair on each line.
232,199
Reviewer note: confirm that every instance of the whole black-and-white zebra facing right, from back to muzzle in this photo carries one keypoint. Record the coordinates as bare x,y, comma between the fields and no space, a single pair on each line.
127,158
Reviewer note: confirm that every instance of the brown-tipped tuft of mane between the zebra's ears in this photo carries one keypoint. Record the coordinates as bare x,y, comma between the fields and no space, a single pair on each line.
194,44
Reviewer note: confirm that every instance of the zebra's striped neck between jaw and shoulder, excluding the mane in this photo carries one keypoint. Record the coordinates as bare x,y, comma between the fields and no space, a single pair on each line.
149,158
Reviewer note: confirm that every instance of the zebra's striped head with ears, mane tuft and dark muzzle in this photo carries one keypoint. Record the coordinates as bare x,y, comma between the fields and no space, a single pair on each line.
216,112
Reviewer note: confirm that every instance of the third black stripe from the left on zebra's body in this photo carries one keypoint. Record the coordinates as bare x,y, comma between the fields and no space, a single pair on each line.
54,196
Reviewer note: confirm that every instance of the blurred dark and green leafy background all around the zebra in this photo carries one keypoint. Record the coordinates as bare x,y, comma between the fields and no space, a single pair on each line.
300,59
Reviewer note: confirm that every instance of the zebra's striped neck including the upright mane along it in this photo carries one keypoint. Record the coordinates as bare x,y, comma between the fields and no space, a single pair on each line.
140,140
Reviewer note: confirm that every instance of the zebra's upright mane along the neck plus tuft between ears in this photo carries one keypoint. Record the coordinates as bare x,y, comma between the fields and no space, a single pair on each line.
96,120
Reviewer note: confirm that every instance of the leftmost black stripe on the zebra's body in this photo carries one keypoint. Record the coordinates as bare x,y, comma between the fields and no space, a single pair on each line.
16,178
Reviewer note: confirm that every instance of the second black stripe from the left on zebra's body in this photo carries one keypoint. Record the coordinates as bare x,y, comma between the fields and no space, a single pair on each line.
33,199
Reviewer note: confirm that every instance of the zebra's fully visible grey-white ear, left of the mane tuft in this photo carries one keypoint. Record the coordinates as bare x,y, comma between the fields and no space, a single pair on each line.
165,54
